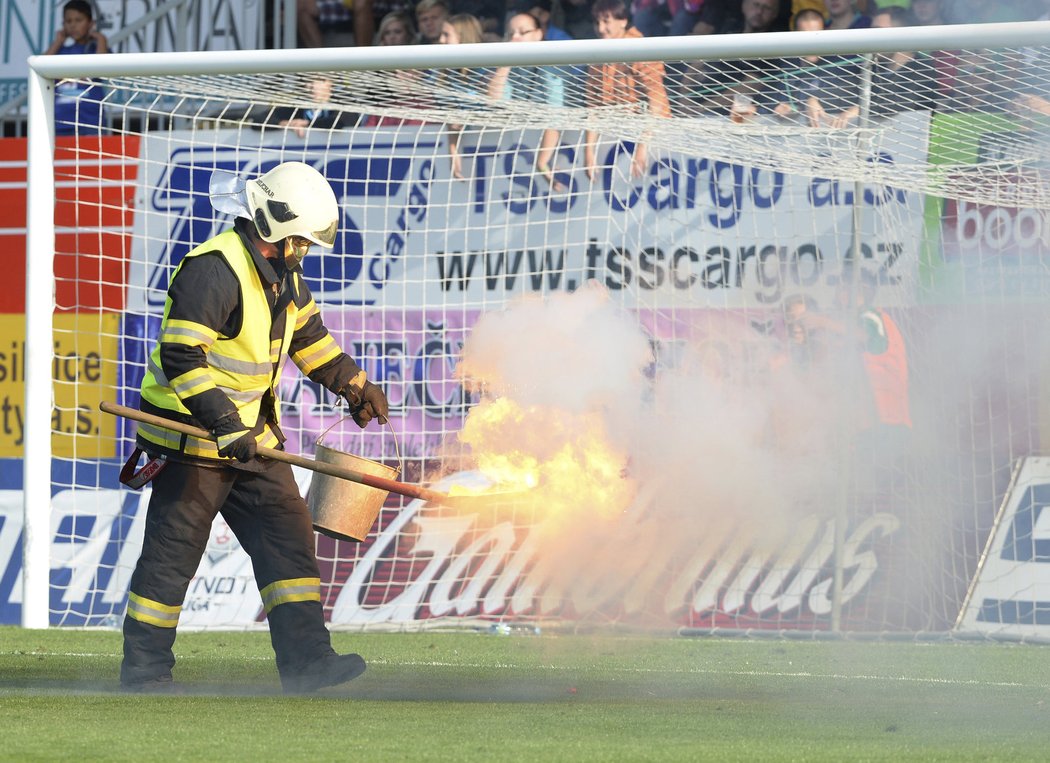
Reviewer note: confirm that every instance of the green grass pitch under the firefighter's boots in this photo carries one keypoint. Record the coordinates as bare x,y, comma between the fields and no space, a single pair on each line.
482,697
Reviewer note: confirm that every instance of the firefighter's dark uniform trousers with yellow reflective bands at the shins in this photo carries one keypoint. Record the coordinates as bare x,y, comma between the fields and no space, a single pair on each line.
272,523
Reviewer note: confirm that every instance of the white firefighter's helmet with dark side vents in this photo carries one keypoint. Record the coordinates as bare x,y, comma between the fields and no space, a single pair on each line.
295,200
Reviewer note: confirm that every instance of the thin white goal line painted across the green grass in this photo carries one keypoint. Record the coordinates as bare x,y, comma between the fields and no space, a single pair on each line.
640,671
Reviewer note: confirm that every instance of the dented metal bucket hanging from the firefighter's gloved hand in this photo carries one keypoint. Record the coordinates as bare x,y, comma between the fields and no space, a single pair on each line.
343,510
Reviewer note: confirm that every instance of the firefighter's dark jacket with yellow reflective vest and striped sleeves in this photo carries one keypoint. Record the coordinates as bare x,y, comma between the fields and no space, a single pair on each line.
207,303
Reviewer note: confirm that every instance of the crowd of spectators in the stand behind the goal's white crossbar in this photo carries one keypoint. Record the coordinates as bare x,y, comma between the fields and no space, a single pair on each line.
821,92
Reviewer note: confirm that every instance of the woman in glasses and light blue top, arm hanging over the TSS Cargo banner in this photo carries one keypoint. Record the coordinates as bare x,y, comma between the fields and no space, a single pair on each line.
544,84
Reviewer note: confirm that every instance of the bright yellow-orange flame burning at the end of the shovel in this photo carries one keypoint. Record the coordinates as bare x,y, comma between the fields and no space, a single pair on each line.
562,463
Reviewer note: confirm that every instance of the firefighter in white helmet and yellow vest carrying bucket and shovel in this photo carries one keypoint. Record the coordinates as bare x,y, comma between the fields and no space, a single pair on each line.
236,306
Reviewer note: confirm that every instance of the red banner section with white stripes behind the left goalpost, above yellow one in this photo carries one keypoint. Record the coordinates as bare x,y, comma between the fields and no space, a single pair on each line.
95,205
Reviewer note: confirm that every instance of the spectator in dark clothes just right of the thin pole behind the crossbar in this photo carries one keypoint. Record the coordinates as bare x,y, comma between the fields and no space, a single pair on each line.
905,81
